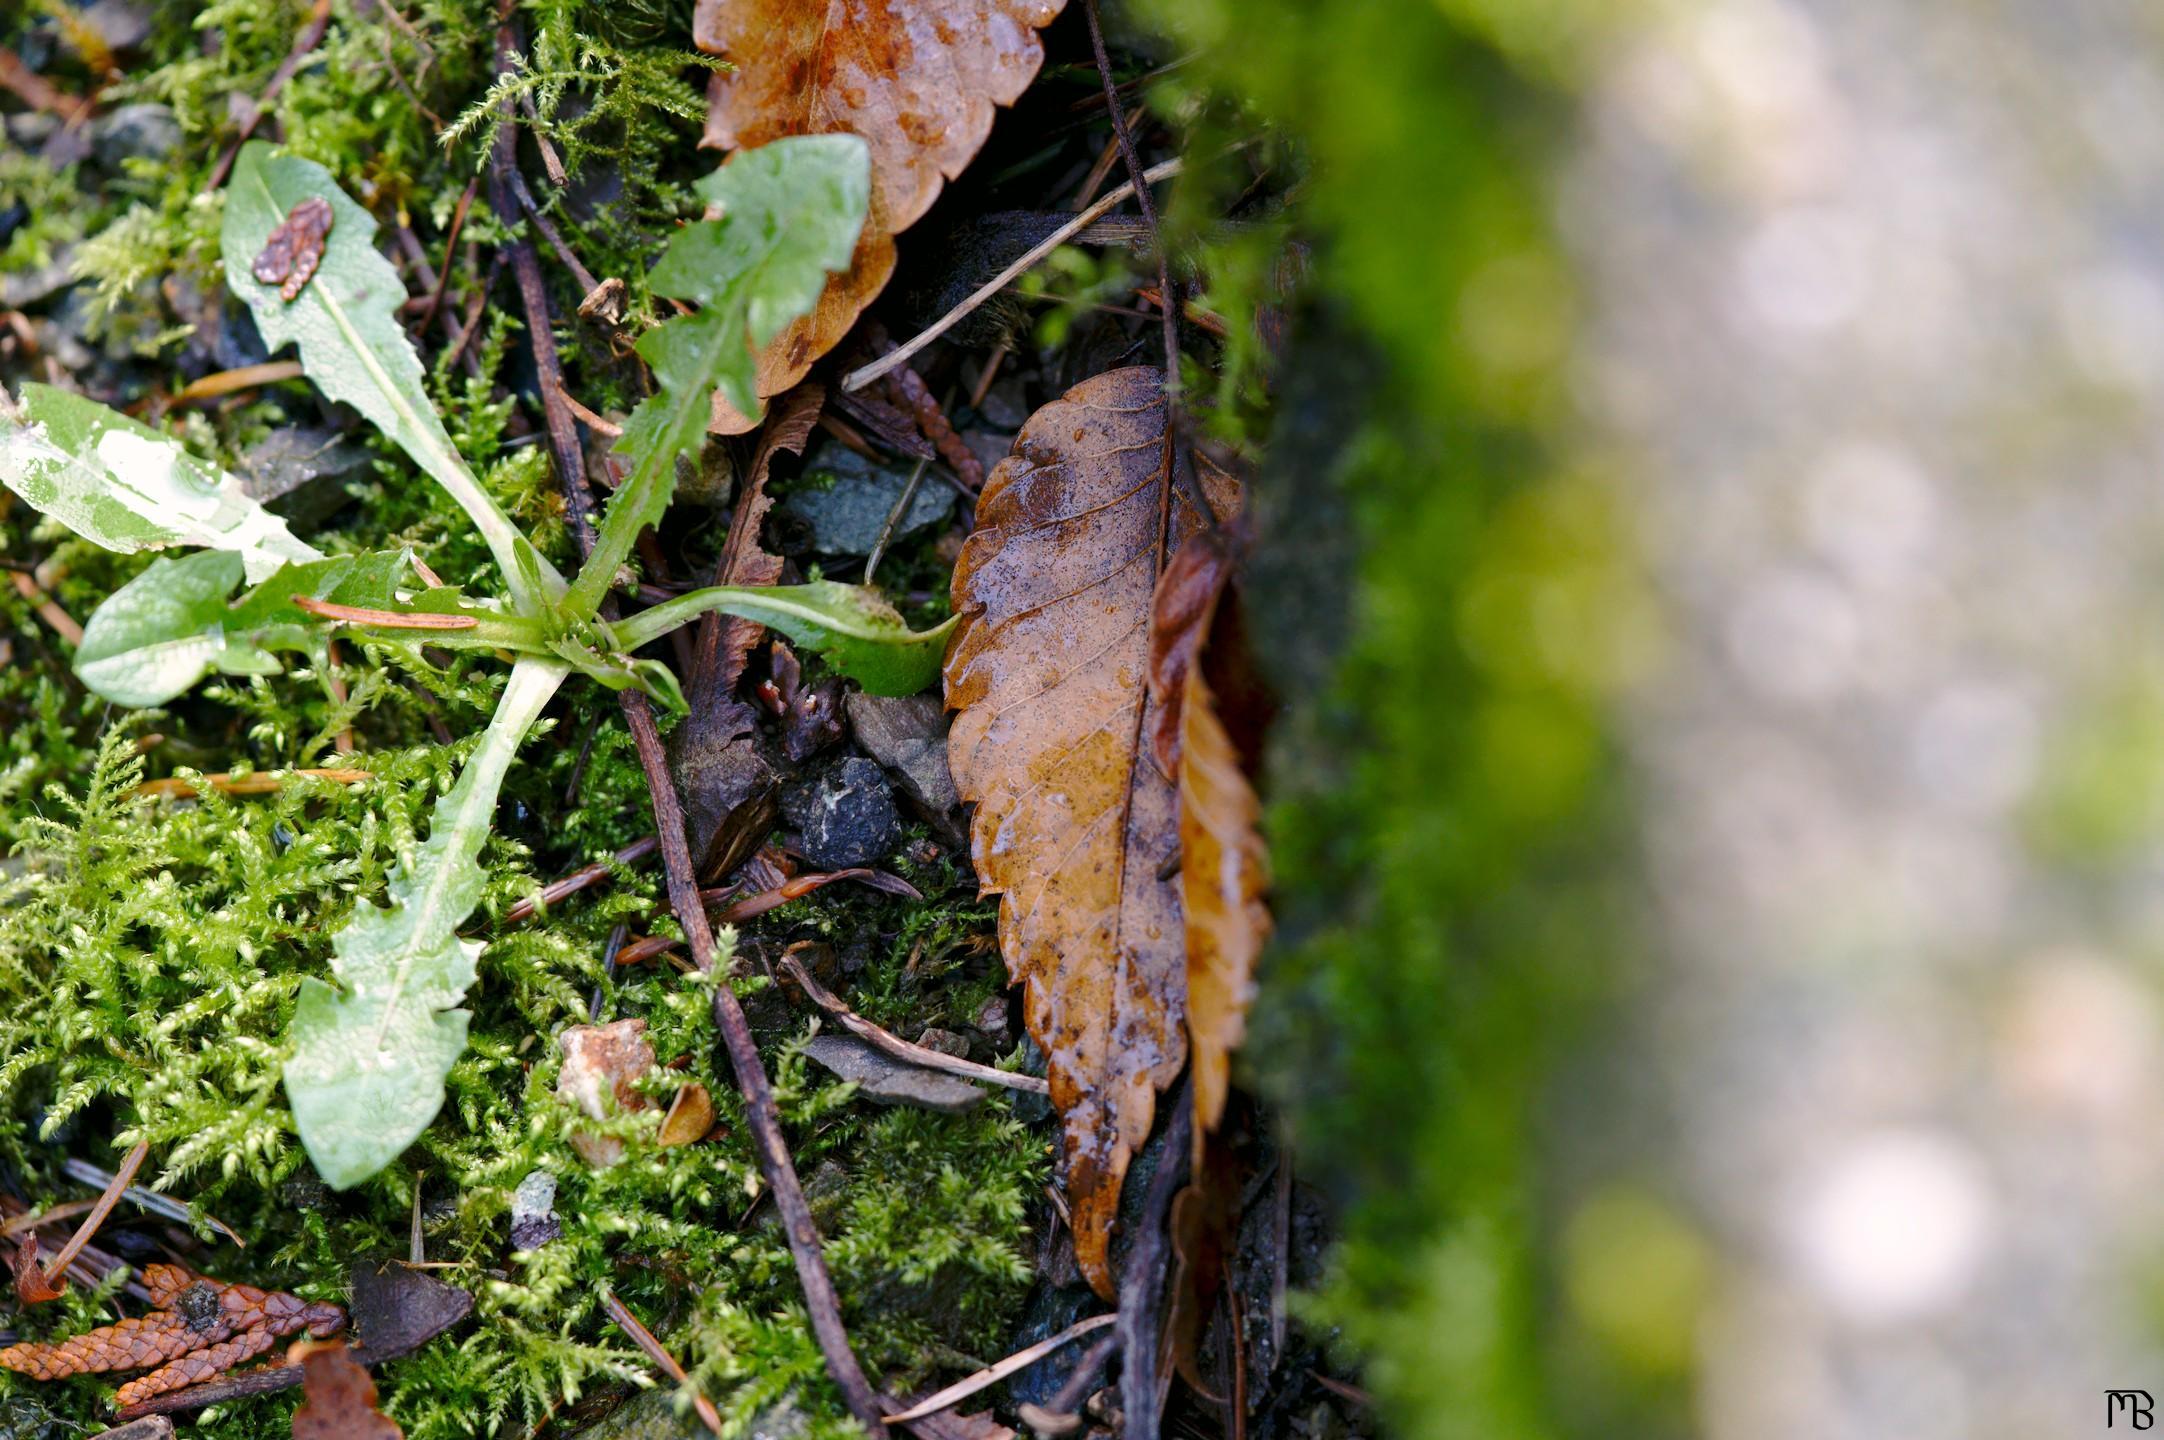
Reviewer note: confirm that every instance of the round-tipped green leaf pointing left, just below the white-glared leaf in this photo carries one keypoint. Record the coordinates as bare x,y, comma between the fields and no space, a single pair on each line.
172,625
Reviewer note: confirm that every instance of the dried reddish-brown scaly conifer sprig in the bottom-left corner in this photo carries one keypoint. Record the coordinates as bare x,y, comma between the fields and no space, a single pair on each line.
198,1331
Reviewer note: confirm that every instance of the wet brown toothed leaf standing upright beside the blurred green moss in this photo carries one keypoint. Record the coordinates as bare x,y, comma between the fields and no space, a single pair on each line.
1074,822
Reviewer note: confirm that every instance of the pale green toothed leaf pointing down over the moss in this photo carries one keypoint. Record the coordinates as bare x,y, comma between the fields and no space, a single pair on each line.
369,1062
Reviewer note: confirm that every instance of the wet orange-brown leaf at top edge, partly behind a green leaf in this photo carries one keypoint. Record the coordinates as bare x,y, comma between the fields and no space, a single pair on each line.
916,79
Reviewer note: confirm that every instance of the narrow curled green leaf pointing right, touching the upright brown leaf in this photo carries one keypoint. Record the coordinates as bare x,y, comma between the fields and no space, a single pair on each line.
852,627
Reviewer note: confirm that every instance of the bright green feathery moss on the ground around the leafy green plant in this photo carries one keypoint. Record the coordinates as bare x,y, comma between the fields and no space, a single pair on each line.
150,950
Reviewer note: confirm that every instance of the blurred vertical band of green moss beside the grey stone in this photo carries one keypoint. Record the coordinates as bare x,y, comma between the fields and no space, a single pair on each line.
1447,603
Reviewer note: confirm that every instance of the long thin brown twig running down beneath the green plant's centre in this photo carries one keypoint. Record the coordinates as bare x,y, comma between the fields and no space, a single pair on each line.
821,1300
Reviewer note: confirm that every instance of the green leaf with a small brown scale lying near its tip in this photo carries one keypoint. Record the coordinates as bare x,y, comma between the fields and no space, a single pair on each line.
345,319
